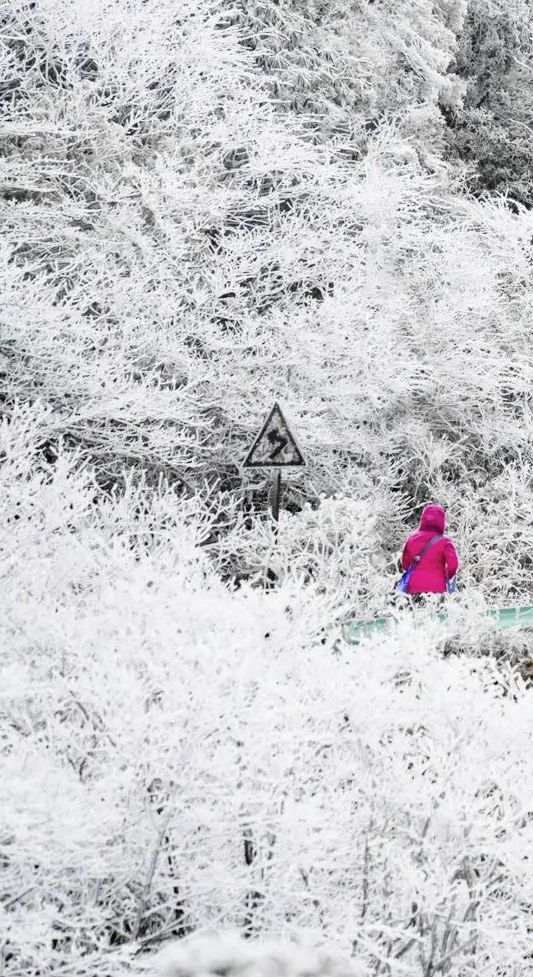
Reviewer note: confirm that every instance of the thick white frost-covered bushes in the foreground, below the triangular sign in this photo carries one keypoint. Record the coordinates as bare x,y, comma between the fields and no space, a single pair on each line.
178,755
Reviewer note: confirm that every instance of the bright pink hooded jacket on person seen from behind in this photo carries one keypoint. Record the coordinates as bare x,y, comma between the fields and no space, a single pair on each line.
439,563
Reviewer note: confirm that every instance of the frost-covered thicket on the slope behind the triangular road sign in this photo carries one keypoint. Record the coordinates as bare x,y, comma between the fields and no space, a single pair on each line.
181,247
